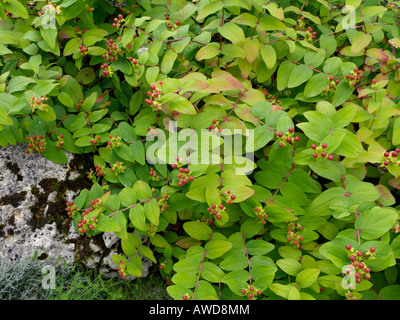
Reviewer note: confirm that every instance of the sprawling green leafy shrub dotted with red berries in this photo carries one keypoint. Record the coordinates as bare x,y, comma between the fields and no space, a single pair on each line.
254,143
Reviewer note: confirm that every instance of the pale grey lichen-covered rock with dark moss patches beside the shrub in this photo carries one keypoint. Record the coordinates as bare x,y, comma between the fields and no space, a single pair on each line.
33,193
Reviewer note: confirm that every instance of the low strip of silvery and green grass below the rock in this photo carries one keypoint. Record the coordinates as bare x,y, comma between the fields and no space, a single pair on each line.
22,280
